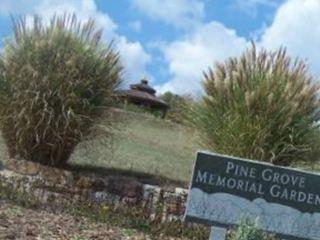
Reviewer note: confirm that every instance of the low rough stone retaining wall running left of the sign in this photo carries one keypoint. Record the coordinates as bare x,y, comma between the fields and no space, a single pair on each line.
48,184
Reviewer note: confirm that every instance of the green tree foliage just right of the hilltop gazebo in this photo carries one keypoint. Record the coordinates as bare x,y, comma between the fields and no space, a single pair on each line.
178,106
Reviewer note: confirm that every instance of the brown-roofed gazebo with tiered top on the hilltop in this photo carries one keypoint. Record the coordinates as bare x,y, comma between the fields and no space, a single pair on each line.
142,94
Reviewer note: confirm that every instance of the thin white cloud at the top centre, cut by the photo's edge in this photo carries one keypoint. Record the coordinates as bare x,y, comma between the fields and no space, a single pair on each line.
179,13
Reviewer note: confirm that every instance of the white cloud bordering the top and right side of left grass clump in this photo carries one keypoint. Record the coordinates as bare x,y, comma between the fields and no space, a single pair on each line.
133,55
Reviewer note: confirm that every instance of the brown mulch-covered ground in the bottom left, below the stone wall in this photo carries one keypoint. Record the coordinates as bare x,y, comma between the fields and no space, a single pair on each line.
18,223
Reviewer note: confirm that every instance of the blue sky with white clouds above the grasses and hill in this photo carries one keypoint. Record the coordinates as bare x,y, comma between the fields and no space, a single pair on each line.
171,42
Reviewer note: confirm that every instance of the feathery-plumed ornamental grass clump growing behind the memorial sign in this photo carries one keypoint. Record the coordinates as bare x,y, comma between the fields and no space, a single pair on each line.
261,106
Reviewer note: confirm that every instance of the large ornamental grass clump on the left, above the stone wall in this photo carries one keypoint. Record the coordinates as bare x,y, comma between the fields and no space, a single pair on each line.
55,79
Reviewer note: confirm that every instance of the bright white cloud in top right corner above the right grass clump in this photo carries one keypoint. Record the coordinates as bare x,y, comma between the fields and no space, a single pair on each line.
296,26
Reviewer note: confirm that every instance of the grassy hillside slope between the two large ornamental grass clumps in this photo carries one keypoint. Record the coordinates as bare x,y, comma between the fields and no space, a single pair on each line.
143,144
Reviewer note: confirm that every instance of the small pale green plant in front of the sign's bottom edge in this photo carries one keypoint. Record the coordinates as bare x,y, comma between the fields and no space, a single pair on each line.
249,231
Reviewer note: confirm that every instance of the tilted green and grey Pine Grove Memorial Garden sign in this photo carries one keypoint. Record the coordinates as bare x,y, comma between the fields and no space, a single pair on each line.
224,190
